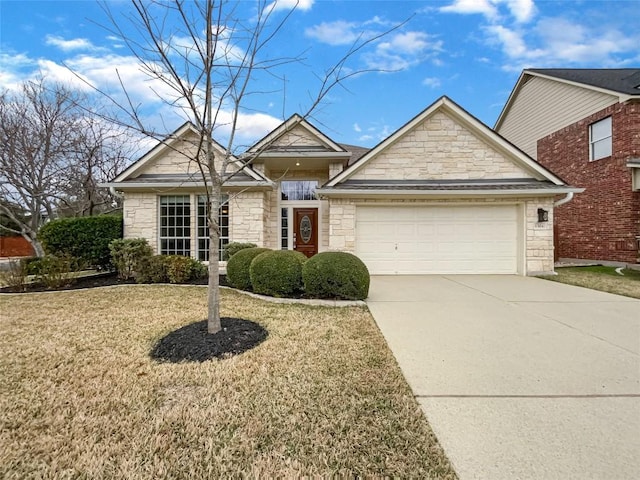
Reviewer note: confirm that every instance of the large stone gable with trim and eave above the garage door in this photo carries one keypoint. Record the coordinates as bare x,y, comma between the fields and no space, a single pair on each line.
444,142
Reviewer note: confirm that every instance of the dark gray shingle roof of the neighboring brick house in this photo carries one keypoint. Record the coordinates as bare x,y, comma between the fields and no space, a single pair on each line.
621,80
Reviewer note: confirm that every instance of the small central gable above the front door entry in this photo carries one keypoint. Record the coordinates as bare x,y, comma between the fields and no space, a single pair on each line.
295,134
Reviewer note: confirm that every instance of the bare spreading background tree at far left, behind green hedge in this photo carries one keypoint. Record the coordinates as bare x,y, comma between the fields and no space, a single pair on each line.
52,155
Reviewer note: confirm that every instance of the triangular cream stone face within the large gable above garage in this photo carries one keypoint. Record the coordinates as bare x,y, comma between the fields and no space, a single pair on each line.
439,149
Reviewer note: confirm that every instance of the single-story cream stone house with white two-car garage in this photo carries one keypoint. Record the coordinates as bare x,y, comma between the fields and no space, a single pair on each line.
444,194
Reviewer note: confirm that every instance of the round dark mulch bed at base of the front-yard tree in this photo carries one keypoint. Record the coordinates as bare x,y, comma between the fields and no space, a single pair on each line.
193,343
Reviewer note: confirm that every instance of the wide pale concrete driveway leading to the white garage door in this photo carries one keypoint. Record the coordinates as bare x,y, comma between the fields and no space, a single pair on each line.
519,377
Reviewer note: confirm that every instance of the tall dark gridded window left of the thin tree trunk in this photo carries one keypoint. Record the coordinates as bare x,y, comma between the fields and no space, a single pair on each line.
175,225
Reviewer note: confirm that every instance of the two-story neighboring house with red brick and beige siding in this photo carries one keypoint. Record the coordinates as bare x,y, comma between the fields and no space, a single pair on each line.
584,124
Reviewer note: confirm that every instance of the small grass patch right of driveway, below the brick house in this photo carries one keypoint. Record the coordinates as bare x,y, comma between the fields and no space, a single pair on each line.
601,278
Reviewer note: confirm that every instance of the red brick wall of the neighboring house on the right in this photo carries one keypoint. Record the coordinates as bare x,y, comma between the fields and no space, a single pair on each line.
602,223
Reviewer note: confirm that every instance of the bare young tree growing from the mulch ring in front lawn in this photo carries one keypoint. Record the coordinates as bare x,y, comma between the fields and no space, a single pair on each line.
210,61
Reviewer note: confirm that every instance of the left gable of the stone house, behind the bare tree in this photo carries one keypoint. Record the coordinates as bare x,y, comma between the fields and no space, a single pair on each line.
173,156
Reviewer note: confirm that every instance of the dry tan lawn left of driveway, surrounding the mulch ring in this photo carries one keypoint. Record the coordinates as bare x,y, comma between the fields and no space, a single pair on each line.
80,397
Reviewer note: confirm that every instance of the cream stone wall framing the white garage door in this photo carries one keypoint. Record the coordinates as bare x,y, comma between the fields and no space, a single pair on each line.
538,236
